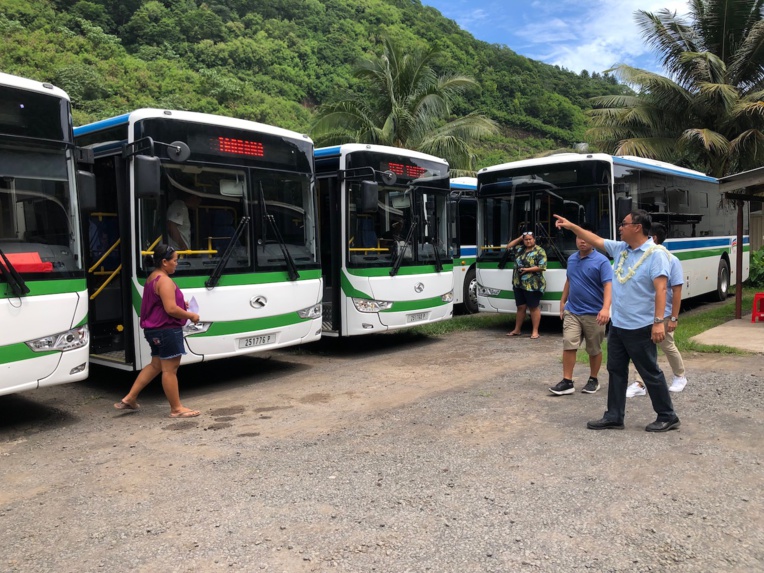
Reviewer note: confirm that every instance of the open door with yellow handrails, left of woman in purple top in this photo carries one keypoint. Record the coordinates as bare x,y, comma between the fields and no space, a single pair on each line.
107,262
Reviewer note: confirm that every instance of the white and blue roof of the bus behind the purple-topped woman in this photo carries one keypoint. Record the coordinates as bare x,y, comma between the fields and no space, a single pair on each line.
145,113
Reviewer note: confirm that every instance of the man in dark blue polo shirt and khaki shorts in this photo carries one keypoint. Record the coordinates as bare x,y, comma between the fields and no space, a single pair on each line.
584,310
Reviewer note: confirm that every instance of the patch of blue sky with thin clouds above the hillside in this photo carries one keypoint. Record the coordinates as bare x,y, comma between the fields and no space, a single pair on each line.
579,35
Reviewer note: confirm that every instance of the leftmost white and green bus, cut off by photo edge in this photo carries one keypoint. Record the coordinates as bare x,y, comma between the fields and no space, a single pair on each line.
43,299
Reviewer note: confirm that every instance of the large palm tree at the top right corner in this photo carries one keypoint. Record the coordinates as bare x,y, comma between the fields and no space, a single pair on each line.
708,114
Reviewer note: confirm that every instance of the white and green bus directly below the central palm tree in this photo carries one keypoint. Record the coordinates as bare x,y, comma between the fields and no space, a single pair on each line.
384,238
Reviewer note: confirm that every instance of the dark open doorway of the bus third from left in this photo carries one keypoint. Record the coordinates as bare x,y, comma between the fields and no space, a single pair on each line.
330,225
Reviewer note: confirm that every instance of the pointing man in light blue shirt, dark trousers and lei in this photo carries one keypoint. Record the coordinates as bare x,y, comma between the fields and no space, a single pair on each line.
639,298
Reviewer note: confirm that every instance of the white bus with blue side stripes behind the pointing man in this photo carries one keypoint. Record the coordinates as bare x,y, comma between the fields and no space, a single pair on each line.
601,189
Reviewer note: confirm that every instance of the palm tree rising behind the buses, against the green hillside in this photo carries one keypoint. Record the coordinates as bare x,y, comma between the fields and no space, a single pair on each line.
405,104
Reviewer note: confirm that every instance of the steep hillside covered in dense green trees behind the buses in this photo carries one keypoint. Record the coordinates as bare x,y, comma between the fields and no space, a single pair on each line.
274,61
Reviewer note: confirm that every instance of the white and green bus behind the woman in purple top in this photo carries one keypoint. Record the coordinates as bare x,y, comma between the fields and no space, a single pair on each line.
246,193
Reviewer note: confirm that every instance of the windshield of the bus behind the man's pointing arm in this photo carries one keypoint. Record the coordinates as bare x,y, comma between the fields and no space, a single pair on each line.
525,199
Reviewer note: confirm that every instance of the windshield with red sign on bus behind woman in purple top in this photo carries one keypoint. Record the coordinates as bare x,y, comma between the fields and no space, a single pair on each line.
232,175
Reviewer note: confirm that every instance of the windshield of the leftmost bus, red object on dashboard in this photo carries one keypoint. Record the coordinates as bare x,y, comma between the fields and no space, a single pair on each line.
39,226
